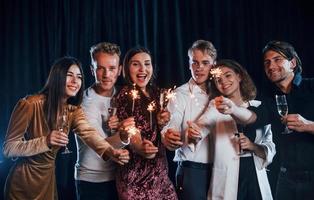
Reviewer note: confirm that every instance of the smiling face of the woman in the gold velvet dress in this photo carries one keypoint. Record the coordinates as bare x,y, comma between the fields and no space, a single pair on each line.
73,81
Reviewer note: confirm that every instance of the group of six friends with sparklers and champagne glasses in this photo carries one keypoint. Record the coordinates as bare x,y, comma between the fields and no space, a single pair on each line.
222,136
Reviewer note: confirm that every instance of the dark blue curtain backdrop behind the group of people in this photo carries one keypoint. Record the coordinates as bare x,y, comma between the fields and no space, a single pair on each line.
33,33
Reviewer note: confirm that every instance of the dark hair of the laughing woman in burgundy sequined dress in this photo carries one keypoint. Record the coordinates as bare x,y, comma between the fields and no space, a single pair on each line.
126,64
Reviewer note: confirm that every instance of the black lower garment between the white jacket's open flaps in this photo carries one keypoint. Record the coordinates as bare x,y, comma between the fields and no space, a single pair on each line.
248,187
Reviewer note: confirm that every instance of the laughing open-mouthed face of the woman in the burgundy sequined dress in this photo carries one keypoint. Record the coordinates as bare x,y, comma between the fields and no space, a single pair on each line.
141,69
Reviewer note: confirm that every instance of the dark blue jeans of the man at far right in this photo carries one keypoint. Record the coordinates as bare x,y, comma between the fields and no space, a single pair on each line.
295,185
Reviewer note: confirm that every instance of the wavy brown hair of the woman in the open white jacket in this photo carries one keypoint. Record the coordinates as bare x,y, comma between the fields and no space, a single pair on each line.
247,87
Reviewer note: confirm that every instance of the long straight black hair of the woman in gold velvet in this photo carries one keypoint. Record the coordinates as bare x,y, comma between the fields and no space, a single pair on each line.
54,89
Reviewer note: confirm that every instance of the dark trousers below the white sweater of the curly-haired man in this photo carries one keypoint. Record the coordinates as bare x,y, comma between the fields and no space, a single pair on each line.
96,191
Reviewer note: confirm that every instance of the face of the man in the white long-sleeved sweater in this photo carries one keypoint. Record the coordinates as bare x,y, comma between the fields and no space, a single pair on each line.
106,70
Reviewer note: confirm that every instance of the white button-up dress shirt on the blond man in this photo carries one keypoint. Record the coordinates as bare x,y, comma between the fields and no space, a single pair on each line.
189,103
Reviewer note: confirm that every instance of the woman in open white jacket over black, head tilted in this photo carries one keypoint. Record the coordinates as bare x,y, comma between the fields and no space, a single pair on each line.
234,176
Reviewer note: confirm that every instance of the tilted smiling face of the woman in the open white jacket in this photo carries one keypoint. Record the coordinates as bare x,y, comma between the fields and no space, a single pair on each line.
228,84
